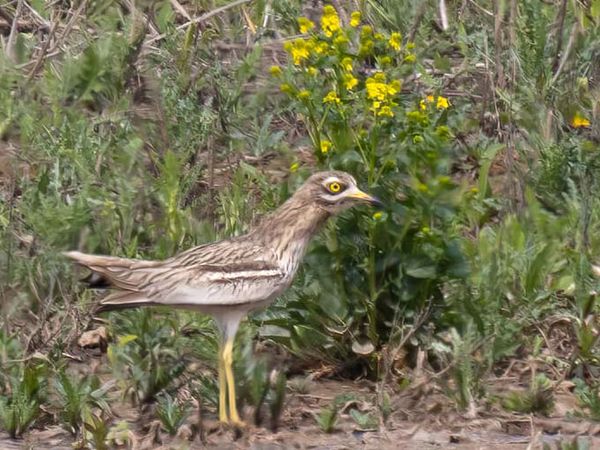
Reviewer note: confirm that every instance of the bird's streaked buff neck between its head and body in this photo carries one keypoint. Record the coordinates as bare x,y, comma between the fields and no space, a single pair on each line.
288,229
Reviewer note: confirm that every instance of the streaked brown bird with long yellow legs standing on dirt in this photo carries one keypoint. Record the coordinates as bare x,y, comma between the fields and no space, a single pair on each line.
229,278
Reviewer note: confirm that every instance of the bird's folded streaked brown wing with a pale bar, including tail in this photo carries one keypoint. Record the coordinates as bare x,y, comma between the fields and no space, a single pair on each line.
223,273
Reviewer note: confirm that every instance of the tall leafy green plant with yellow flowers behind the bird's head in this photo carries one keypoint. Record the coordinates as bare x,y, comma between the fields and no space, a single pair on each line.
347,83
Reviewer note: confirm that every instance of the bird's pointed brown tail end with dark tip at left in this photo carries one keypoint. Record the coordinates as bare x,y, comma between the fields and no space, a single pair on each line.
111,272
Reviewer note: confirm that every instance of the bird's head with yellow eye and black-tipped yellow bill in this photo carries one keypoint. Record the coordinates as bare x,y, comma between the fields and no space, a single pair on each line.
335,191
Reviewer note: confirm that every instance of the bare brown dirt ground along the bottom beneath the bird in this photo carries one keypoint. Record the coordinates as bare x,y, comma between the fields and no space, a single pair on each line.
422,419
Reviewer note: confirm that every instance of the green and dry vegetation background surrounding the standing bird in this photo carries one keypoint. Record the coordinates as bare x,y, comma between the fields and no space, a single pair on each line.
143,128
